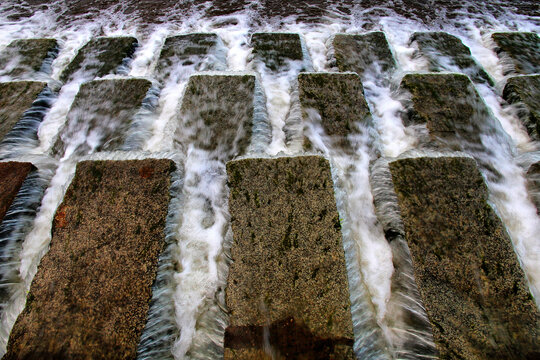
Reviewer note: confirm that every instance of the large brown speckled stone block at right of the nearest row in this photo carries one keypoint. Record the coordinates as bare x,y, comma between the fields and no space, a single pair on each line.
472,286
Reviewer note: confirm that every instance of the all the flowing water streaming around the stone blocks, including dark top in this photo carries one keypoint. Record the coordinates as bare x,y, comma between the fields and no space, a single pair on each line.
187,314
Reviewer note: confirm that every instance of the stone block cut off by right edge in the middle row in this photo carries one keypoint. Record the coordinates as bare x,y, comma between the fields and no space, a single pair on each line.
525,90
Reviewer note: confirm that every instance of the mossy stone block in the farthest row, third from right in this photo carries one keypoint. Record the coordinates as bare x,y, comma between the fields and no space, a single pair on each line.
359,52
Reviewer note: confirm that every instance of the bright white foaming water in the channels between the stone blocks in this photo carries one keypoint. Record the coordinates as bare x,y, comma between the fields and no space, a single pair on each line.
202,232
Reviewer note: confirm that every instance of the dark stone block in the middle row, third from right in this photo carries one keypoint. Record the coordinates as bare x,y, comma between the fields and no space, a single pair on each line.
339,100
